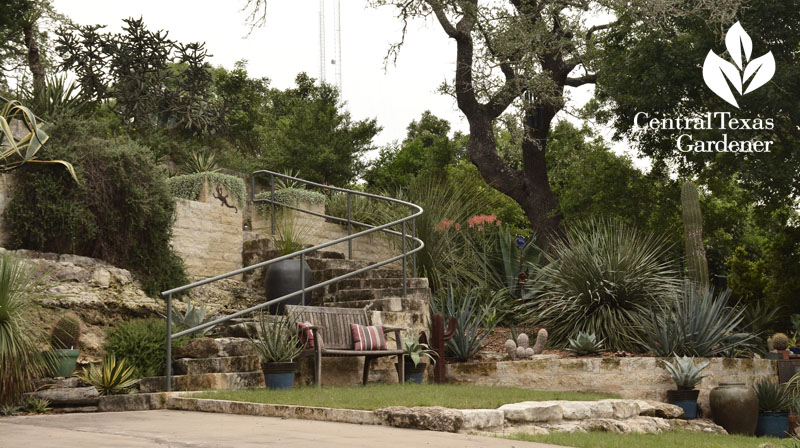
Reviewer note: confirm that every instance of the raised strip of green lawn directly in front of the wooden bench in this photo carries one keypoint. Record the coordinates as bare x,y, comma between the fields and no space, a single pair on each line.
384,395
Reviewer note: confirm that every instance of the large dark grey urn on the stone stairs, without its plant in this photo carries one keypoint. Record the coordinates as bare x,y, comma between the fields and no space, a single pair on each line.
286,277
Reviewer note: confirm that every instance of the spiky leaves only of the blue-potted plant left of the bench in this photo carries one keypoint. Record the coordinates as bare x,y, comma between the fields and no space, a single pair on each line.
278,340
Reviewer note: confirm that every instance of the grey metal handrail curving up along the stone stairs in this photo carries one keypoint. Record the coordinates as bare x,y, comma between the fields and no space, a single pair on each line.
418,244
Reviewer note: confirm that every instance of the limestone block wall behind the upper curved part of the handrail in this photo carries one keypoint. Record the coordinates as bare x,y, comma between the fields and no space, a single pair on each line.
373,247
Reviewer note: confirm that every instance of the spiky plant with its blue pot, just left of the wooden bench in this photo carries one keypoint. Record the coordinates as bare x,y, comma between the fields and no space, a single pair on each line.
277,345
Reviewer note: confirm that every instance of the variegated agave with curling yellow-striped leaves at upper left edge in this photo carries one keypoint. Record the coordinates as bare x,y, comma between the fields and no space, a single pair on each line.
20,146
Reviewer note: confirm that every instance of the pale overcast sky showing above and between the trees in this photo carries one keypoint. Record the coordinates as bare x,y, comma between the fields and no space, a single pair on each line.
289,43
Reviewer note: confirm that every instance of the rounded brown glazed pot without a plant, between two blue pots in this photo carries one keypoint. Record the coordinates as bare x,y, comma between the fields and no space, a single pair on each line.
735,407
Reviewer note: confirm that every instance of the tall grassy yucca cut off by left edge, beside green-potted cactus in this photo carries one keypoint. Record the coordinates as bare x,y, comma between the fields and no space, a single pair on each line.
21,357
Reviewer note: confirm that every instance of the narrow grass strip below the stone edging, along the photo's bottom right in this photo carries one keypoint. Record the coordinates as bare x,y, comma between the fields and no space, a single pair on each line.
672,439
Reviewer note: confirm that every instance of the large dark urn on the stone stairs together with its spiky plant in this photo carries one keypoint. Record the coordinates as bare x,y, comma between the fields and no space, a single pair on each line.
291,275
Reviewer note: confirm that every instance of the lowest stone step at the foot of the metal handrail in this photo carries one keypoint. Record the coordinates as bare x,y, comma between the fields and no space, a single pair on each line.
206,381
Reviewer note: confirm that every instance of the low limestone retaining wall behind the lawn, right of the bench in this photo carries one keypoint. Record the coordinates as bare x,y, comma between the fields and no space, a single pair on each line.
642,378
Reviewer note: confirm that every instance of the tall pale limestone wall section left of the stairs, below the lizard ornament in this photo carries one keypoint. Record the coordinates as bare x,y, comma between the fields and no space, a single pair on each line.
208,237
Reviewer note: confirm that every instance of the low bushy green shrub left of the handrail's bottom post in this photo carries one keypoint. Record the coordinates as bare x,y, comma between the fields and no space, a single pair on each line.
142,342
